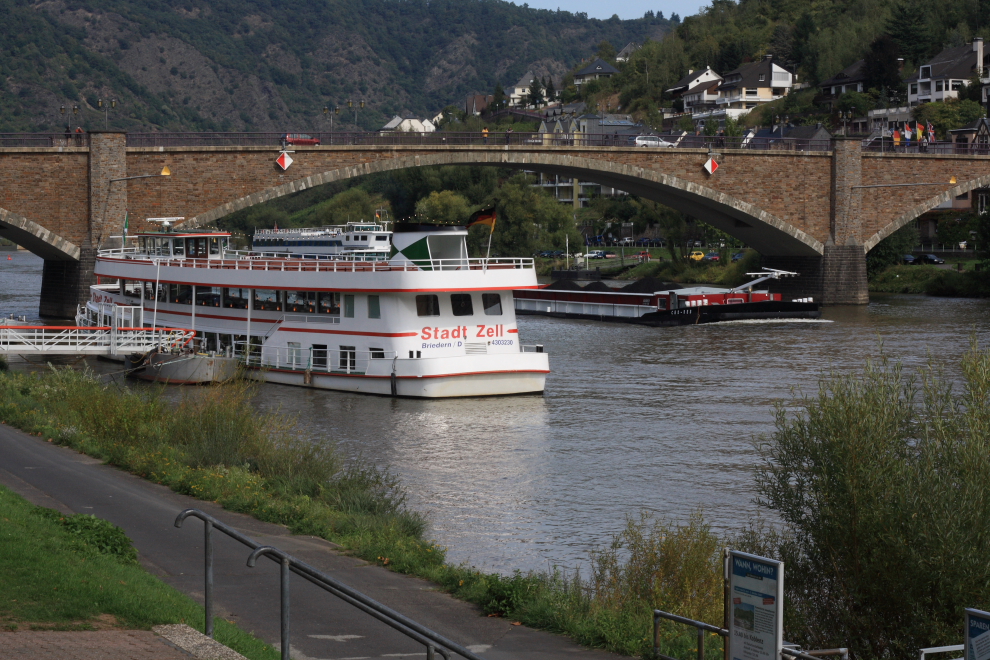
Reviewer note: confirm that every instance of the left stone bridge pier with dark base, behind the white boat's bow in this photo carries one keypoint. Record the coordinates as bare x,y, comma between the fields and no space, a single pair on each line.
65,284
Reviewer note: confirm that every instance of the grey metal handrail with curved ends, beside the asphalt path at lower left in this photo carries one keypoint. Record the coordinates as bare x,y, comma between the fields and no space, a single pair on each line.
433,641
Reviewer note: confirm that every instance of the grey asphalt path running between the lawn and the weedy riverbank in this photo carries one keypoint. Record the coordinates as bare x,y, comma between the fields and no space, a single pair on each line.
322,626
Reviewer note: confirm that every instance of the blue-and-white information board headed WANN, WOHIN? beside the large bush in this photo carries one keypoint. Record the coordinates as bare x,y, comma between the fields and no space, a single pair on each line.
756,612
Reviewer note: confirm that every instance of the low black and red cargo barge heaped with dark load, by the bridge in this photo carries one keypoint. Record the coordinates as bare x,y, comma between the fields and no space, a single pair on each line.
652,302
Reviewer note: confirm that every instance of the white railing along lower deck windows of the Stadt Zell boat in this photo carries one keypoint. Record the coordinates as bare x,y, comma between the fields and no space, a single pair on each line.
313,359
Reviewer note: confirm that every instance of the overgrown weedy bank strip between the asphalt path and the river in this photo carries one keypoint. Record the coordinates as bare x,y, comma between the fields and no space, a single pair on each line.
216,447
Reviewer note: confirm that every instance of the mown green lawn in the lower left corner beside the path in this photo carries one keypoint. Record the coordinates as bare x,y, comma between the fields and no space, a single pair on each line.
79,573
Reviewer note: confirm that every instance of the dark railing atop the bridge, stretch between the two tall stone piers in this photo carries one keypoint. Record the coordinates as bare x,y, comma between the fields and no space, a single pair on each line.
451,138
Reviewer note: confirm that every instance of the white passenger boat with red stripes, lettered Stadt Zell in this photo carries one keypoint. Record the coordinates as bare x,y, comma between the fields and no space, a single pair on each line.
336,308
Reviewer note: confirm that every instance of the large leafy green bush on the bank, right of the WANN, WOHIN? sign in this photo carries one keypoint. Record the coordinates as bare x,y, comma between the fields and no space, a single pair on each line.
881,483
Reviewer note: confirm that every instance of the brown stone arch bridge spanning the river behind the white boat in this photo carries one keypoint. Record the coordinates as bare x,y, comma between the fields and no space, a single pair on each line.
814,212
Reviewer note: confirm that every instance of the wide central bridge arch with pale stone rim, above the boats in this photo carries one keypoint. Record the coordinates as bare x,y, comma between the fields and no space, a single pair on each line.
763,231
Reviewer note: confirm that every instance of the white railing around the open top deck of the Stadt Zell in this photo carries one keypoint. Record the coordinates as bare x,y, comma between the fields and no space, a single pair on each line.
334,265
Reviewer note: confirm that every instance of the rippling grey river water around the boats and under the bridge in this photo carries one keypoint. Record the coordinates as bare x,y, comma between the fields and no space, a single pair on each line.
633,419
